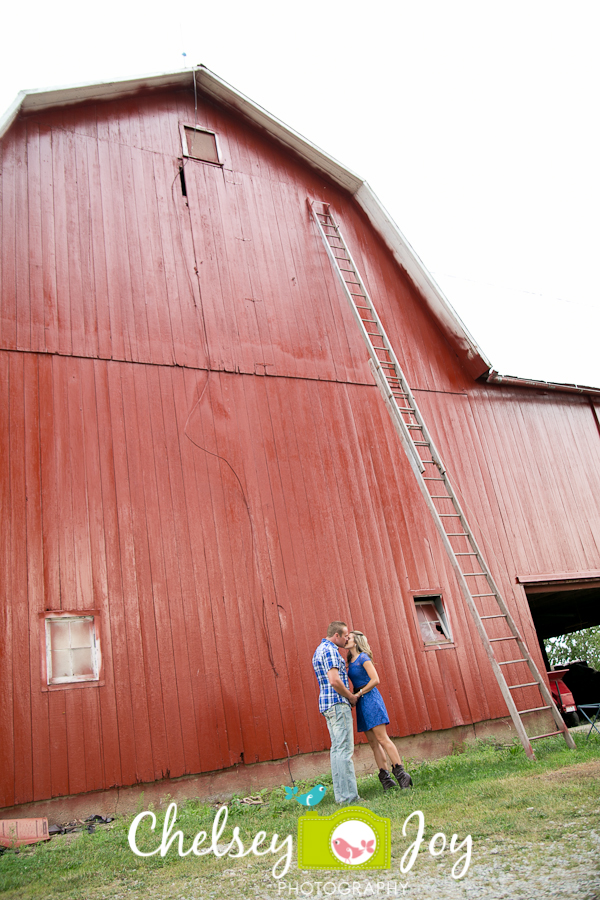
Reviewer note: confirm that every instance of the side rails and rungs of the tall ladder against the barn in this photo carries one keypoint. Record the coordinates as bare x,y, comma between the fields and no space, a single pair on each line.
417,463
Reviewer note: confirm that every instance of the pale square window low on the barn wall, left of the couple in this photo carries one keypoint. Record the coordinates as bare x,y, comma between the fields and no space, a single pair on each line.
72,648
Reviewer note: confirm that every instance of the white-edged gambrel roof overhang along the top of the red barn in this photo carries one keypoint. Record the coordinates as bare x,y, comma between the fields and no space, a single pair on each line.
211,85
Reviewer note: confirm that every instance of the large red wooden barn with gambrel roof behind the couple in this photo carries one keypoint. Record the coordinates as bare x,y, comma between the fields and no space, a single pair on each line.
198,471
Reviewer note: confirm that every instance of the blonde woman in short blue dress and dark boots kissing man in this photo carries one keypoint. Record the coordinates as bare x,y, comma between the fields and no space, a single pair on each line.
371,714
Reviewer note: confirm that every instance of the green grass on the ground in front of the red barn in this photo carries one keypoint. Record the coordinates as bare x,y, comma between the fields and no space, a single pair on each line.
489,791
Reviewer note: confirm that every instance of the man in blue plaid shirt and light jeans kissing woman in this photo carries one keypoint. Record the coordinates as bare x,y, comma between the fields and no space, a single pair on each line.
335,702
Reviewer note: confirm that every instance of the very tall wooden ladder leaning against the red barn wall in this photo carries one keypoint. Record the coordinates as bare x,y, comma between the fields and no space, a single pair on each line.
473,575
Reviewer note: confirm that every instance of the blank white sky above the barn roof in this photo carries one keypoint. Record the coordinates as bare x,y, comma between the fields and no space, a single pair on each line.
474,122
